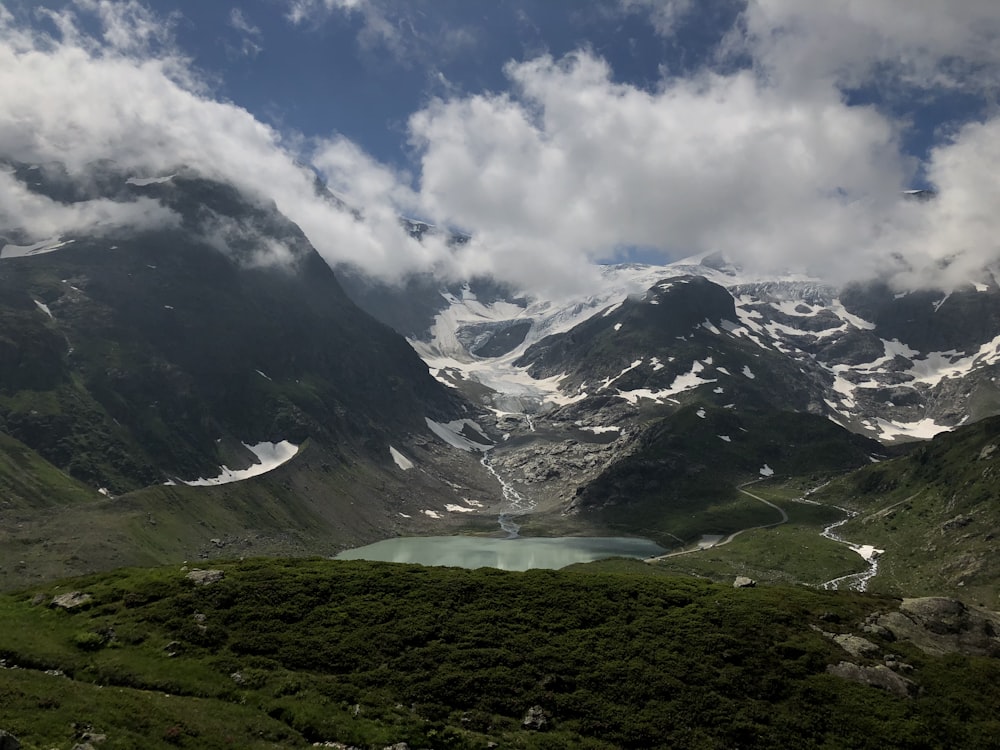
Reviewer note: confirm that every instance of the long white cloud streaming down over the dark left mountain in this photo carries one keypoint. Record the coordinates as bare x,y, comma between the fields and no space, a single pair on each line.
150,113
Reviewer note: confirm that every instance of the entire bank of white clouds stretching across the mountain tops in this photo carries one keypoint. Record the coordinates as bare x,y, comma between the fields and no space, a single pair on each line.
770,162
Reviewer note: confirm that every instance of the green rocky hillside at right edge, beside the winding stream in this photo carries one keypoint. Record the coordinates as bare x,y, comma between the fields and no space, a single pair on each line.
936,512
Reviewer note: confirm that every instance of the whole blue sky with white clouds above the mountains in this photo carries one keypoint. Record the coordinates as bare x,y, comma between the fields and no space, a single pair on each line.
557,133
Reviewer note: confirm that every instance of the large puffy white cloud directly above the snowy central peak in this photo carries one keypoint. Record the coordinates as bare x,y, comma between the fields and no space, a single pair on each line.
578,164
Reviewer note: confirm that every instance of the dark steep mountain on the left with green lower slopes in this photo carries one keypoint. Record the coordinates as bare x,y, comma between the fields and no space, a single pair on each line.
144,372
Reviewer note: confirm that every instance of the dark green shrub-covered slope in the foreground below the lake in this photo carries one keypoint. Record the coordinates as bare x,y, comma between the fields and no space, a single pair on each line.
372,654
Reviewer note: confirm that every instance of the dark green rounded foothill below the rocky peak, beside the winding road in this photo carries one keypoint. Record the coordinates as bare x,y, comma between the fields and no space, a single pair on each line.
682,480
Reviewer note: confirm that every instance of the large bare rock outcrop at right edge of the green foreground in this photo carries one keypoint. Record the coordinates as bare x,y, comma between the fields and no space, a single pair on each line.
941,626
